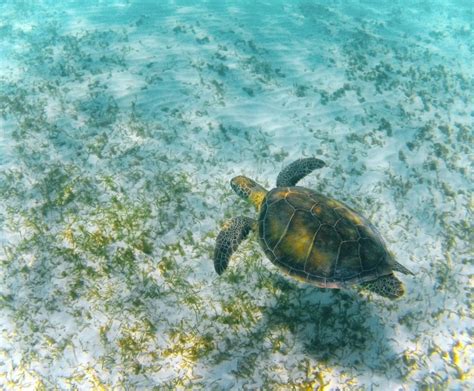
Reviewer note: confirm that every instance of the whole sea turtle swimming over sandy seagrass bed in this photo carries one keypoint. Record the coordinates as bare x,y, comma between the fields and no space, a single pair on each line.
312,237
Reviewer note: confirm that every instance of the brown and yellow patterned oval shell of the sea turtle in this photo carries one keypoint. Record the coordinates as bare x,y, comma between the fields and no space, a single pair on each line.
320,240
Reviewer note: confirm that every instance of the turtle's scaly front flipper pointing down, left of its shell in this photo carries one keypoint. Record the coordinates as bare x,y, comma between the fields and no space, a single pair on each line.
232,234
